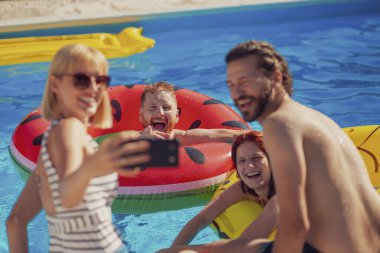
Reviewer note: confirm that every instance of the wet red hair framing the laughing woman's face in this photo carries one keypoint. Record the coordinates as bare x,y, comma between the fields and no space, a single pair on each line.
257,138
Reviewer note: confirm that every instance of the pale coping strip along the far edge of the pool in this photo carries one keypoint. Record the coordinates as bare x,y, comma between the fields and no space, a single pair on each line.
45,22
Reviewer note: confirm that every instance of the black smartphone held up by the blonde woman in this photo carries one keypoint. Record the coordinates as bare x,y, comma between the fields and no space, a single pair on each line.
163,153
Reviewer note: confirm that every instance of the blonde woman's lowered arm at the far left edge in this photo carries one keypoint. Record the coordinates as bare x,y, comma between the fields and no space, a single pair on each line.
27,206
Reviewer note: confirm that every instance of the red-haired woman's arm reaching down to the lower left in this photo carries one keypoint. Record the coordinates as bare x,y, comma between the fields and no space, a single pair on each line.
208,214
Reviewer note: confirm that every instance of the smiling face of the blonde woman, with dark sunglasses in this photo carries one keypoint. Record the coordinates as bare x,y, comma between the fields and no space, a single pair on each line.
80,91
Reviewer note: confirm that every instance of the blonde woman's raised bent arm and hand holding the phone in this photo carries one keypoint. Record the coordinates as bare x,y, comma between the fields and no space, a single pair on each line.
76,166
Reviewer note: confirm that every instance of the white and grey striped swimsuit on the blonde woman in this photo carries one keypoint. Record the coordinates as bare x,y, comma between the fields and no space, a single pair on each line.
88,226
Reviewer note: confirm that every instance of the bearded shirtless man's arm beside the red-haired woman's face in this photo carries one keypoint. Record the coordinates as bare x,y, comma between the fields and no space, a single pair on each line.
287,159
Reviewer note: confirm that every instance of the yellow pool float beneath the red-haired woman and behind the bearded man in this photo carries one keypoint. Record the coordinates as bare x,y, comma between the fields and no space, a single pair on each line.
235,219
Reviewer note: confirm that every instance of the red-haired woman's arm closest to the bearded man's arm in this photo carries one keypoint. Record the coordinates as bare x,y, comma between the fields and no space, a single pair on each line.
265,223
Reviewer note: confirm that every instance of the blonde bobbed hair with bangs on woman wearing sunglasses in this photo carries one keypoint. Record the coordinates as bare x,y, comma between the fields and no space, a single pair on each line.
65,61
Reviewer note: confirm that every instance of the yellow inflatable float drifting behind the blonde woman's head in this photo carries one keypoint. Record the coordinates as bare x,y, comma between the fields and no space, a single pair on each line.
41,49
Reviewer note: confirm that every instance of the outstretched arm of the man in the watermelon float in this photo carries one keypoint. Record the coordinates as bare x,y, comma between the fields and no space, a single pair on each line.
199,135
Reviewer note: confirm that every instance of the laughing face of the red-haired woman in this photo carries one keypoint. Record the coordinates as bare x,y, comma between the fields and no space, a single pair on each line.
253,166
